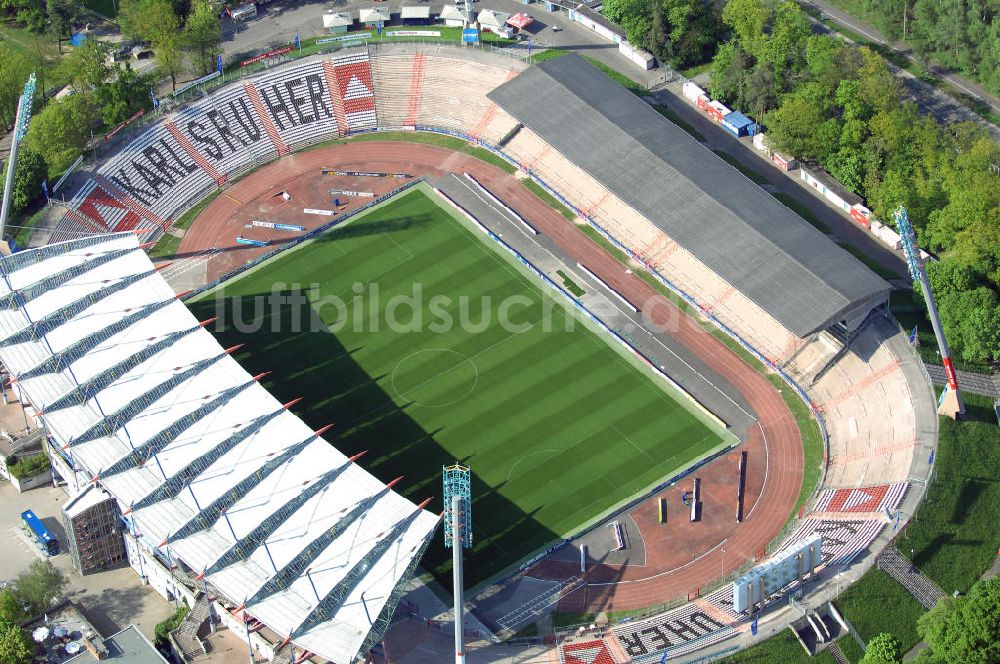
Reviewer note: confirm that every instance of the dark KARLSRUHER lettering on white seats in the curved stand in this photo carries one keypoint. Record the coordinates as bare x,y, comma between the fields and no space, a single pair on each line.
163,165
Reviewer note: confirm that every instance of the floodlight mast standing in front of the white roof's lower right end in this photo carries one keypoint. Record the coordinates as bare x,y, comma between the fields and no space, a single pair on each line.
458,536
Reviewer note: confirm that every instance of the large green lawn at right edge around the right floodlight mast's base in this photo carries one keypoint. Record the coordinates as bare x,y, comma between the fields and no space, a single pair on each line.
955,535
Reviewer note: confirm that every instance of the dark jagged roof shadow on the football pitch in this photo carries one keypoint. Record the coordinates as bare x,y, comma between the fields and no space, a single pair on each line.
317,366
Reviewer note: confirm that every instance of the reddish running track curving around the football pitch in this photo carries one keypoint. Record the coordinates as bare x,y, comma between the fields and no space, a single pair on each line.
680,557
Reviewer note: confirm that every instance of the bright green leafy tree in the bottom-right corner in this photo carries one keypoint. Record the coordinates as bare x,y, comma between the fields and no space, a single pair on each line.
965,630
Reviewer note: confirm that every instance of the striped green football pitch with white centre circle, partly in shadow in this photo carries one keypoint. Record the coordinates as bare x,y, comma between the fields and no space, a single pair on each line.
557,422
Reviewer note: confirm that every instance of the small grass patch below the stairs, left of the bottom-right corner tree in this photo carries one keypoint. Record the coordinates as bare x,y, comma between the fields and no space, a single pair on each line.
878,603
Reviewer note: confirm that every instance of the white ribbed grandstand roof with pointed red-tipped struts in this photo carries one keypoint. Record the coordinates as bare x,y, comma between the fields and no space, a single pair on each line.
213,476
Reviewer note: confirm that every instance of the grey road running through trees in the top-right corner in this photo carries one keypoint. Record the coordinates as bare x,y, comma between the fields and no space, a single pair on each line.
942,106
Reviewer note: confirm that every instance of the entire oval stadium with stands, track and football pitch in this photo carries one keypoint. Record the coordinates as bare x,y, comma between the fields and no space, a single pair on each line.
636,448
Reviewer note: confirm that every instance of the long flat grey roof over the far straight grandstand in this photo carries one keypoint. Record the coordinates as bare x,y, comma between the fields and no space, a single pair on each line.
791,270
